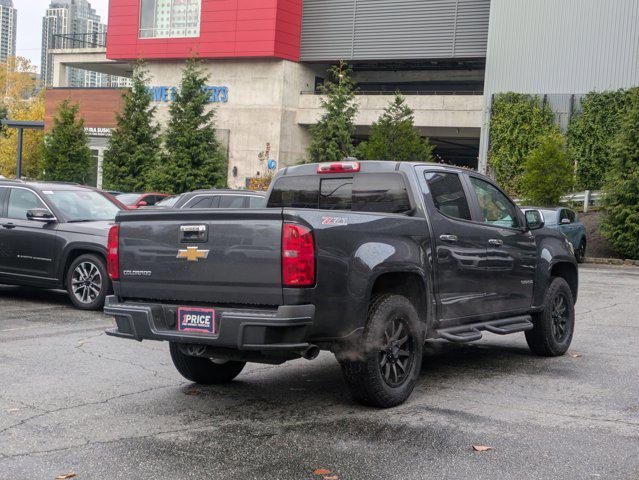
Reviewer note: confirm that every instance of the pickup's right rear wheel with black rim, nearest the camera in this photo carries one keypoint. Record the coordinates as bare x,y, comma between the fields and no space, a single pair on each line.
390,359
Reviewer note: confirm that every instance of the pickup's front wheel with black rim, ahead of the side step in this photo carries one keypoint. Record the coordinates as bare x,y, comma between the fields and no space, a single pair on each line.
554,326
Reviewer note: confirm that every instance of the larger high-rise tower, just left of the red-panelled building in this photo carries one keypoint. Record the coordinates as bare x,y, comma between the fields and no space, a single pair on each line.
70,24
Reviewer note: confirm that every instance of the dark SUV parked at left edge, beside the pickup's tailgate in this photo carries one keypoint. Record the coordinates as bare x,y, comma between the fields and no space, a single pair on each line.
54,235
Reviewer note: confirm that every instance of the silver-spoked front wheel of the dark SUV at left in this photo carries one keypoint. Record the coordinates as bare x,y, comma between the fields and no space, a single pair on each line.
88,282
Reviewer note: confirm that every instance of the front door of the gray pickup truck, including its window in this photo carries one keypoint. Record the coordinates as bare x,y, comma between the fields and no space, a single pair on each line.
511,251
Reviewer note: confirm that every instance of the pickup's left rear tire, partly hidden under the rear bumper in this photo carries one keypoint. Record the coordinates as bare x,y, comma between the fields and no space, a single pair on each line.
203,370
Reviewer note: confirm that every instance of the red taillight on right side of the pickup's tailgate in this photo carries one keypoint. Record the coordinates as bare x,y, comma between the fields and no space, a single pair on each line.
298,256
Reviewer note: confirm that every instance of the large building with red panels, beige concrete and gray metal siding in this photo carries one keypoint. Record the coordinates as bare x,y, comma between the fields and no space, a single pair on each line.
266,58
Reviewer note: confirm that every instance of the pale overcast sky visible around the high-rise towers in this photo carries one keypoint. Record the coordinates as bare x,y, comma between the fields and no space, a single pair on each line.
30,13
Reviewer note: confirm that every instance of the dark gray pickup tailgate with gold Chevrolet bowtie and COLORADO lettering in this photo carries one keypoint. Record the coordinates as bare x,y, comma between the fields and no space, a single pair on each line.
205,256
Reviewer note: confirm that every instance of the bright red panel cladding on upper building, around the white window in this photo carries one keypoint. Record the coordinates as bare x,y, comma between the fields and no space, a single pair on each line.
228,29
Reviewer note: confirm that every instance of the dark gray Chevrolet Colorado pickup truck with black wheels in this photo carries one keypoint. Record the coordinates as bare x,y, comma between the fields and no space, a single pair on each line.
365,259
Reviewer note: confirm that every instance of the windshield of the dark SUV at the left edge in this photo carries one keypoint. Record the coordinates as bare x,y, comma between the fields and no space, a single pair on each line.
83,205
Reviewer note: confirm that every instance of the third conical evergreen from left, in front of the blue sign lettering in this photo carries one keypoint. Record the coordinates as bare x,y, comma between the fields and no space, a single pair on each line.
193,157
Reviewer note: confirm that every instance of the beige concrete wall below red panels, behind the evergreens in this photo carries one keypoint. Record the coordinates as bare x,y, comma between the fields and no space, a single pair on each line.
262,104
